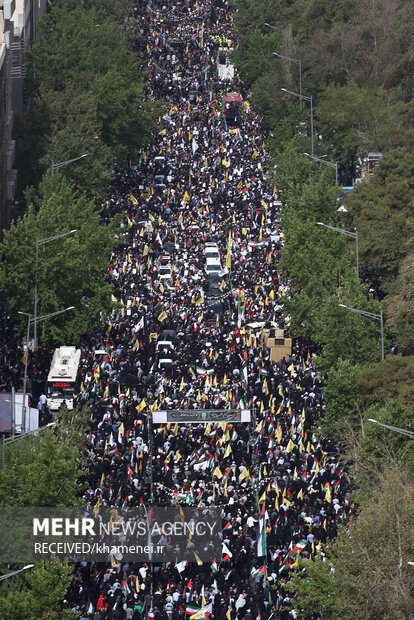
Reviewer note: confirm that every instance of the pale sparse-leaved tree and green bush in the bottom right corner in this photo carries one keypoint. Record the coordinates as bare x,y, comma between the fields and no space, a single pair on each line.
372,578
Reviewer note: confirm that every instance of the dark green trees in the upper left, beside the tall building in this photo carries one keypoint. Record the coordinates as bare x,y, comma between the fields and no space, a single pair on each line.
87,86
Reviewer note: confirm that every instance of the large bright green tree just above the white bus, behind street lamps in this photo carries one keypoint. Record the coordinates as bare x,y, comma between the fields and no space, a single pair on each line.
69,269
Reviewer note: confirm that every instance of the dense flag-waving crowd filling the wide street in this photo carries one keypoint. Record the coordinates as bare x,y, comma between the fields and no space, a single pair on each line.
283,491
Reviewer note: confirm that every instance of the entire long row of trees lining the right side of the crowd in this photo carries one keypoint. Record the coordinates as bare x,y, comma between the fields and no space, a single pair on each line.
357,64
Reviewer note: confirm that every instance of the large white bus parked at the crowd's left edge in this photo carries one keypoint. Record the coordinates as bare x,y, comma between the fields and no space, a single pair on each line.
62,383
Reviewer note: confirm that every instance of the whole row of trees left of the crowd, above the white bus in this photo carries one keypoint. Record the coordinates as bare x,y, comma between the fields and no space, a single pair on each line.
86,87
